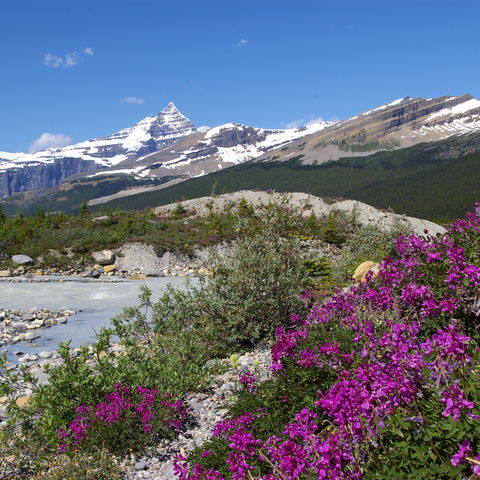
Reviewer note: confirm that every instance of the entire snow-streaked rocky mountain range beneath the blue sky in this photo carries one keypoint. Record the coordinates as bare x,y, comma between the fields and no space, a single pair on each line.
168,148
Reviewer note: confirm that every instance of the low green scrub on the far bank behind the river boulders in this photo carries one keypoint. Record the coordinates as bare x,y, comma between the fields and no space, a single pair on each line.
73,237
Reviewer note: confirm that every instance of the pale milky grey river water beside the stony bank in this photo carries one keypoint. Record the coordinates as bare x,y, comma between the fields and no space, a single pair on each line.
95,301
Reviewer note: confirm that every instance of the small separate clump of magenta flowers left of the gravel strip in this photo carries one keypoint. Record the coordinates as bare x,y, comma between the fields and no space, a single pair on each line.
128,419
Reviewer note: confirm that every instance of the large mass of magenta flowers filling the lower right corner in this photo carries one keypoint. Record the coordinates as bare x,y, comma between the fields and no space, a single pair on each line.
414,370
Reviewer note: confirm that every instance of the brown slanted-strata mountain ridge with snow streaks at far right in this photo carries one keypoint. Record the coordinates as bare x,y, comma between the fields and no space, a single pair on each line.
401,123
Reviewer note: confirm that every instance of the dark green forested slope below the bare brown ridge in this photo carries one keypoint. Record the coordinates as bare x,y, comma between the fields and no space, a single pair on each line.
430,180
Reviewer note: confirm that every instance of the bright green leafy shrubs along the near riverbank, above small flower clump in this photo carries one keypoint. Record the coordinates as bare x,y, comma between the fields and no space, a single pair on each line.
156,344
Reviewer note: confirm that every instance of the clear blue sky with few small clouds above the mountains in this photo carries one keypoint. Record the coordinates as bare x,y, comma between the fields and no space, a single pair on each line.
83,69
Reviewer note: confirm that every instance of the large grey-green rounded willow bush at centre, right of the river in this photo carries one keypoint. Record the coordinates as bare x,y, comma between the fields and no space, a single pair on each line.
253,290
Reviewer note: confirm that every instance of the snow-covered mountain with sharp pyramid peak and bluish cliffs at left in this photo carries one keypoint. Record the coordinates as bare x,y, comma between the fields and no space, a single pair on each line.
48,168
